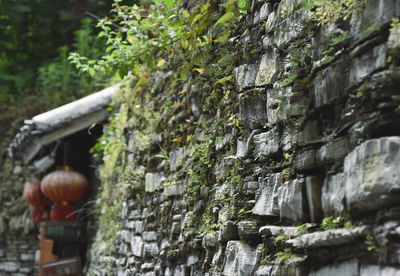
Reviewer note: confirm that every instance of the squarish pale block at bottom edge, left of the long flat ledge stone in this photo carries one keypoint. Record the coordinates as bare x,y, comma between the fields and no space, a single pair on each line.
240,259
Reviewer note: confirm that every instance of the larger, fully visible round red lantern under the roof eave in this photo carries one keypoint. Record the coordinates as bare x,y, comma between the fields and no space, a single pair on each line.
63,186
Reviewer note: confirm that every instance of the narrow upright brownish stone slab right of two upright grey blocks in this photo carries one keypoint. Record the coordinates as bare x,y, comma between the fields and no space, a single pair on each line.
313,190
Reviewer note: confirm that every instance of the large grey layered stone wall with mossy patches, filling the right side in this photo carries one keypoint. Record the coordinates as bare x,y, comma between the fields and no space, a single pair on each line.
310,183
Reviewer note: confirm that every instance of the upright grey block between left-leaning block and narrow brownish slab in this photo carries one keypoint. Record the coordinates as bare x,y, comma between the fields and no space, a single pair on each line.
292,201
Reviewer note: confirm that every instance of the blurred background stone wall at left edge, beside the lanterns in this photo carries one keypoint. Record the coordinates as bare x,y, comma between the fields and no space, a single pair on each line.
18,238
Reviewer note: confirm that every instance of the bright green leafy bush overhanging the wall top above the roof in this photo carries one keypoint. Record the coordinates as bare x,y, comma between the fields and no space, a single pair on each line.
146,35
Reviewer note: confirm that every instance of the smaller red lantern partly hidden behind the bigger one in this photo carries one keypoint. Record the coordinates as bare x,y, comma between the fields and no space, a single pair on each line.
34,196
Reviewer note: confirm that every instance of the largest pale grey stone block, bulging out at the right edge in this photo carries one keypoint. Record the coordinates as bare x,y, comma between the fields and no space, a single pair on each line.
372,174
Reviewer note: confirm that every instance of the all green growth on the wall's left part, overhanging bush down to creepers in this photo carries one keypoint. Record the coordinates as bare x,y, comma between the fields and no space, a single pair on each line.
142,44
